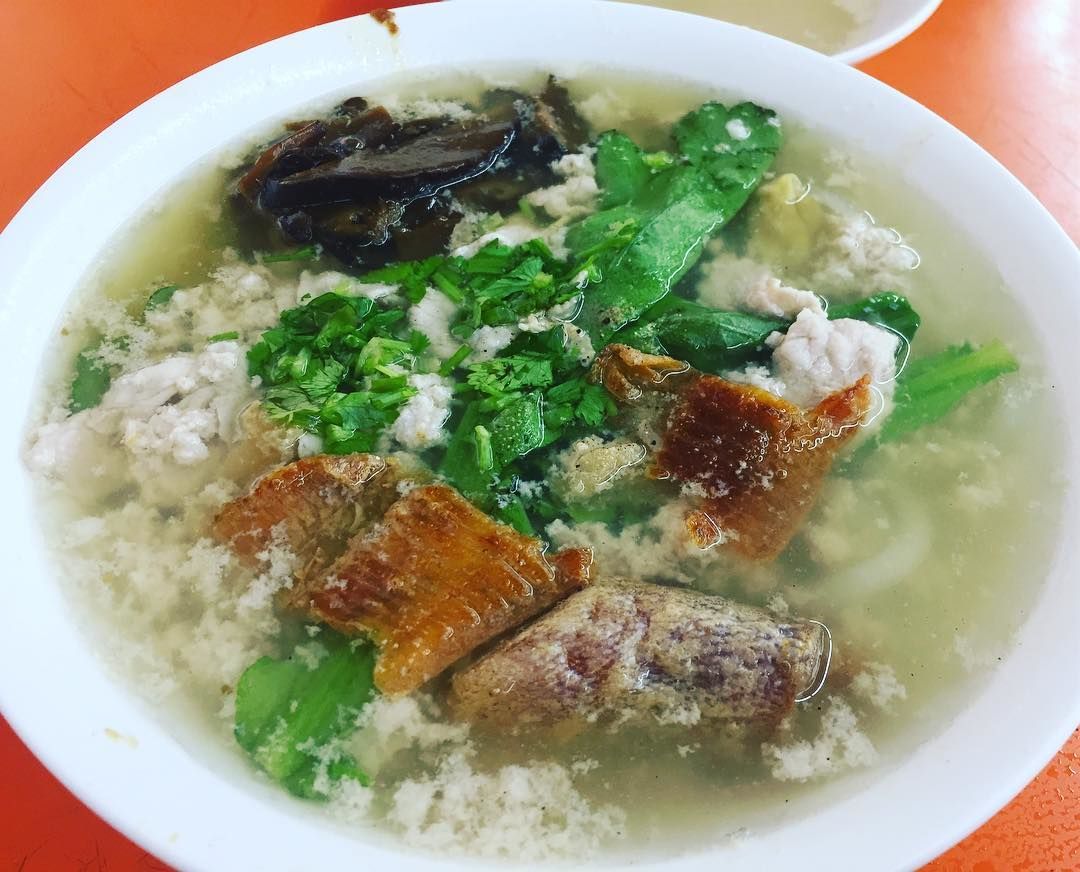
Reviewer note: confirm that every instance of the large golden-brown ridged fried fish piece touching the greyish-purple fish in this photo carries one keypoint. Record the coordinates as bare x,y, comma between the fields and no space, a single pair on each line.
436,580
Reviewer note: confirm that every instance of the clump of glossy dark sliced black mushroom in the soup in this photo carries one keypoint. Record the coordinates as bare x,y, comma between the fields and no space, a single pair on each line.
371,190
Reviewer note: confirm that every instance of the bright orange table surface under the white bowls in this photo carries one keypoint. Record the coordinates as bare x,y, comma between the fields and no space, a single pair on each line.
1005,72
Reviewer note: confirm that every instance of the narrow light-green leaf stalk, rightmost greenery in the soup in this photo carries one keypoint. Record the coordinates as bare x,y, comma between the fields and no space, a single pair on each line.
930,388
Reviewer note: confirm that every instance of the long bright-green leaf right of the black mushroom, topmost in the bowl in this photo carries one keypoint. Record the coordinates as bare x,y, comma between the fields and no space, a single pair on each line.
725,154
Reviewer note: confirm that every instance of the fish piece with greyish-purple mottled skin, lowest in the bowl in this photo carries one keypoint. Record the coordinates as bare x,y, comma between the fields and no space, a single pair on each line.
627,653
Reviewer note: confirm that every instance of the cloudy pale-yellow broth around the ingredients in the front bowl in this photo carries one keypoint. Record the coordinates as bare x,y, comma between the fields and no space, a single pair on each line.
921,556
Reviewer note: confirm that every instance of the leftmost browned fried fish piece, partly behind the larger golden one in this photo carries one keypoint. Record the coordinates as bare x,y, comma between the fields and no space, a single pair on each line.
315,505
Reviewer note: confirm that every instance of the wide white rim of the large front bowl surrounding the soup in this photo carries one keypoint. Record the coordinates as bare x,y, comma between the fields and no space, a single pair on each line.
198,816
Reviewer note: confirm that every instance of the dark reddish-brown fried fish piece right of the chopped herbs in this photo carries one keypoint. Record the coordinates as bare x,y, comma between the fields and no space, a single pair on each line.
755,462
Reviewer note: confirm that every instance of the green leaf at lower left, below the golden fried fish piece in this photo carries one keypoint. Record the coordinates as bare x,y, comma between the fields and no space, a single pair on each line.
289,715
